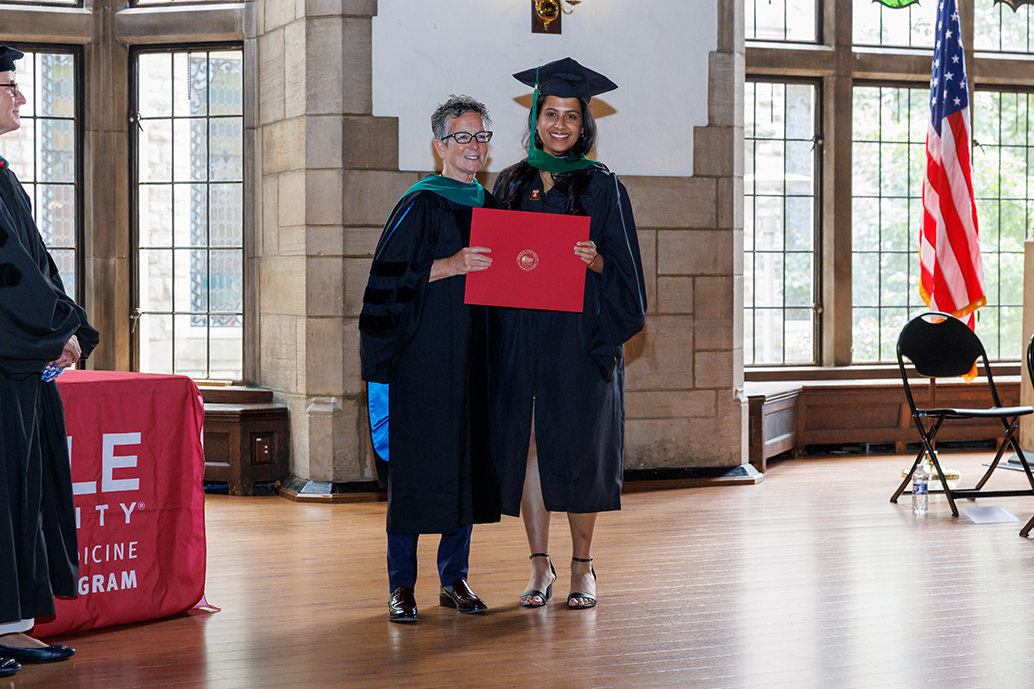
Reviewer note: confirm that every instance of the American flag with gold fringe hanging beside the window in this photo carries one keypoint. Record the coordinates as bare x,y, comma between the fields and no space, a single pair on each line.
950,251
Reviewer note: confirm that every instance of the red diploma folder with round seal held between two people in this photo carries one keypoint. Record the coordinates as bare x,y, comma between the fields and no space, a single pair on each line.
534,261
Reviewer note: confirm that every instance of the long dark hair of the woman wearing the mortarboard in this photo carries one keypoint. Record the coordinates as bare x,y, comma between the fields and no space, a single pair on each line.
515,179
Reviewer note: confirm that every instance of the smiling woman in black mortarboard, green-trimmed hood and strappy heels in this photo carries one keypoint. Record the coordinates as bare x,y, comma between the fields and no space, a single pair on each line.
558,379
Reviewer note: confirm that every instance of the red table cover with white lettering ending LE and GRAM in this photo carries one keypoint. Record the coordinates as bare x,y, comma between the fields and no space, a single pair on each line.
138,468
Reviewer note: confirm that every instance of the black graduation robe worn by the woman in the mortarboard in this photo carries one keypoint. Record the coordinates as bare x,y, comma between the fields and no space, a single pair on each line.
569,369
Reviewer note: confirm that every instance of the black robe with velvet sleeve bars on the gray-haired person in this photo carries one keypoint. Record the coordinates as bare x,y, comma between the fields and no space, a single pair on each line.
416,340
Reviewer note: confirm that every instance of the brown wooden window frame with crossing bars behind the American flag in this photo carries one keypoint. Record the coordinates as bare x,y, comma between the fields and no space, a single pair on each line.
840,65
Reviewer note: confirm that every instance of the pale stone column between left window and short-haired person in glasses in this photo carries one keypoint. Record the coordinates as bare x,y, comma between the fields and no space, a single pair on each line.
319,146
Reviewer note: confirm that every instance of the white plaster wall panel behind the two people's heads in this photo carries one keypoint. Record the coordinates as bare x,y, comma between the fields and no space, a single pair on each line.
656,52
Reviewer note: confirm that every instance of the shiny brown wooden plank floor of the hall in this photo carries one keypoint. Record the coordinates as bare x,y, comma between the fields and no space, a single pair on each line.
811,579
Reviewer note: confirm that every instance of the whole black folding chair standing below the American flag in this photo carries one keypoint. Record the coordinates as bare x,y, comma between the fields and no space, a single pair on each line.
947,348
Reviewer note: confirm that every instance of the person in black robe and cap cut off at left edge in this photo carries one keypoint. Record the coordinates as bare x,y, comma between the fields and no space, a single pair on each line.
42,333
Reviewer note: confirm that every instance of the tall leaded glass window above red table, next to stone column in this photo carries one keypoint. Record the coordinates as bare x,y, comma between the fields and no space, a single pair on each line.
191,213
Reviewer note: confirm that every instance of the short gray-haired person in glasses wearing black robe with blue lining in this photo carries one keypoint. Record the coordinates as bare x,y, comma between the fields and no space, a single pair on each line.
416,348
